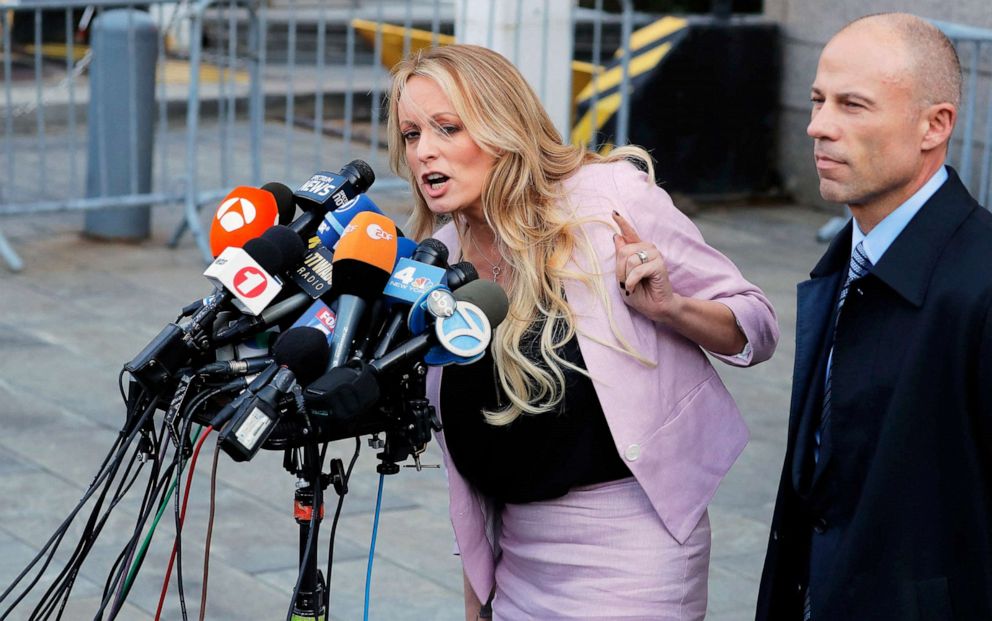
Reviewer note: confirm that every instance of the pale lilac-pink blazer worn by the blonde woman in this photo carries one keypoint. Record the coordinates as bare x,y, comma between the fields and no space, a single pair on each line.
675,424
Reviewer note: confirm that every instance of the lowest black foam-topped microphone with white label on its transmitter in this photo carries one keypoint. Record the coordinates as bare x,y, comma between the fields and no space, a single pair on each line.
300,356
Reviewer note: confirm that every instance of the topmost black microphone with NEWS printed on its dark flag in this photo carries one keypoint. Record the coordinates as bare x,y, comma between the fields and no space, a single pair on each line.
325,191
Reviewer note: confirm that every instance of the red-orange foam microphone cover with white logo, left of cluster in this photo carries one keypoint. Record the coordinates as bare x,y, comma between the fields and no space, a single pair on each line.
244,214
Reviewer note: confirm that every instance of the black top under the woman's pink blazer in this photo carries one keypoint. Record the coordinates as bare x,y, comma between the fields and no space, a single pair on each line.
536,457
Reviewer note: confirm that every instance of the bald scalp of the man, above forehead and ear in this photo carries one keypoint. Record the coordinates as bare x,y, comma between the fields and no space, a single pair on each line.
931,58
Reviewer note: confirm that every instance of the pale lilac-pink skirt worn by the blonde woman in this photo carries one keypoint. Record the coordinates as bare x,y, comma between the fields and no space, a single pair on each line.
600,552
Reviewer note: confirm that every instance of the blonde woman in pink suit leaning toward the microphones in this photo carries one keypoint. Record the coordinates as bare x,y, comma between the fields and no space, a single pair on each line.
583,449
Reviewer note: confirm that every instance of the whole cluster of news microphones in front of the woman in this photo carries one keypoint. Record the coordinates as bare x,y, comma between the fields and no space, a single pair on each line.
320,324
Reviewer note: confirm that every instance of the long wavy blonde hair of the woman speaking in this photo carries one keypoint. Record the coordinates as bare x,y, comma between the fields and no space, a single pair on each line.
521,200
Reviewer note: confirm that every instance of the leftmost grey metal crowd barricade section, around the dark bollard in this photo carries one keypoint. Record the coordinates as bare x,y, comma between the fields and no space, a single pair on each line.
45,96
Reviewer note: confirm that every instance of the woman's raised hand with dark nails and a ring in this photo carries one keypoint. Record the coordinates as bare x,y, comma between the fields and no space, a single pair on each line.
643,274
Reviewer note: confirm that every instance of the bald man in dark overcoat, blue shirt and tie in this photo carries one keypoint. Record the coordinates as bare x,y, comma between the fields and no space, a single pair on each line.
884,508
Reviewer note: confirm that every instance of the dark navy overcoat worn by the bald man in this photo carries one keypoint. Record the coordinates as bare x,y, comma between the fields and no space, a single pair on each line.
901,496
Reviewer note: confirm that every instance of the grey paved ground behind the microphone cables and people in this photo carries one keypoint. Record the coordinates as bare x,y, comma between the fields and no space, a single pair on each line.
80,309
